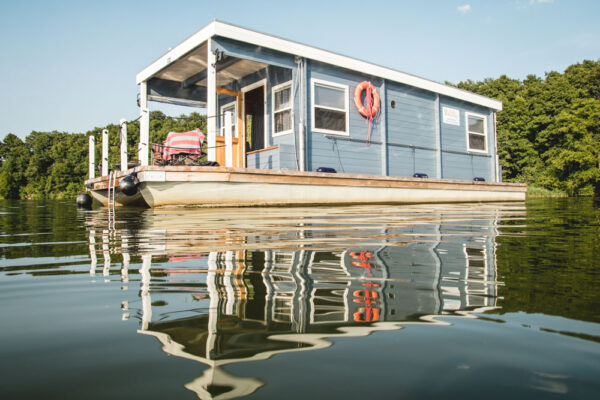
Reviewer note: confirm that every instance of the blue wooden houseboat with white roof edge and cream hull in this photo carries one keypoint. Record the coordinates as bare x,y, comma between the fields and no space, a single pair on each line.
291,124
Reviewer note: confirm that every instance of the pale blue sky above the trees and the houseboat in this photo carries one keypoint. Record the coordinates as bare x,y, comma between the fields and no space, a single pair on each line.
70,65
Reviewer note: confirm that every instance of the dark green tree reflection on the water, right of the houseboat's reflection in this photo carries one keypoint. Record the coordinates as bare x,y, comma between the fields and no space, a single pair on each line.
548,261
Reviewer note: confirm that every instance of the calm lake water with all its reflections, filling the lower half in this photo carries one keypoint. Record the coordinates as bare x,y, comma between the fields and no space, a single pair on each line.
423,301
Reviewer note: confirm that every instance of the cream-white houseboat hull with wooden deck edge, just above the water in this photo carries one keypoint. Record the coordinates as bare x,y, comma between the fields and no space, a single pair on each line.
240,187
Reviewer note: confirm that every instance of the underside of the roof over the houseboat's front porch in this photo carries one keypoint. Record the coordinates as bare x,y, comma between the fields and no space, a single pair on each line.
194,65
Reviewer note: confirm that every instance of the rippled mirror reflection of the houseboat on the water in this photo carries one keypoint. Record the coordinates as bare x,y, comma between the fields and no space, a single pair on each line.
230,286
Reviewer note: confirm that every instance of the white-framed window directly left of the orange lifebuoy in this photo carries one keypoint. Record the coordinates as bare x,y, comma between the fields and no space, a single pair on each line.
329,107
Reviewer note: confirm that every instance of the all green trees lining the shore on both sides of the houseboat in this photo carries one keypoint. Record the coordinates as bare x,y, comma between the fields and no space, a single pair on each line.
548,137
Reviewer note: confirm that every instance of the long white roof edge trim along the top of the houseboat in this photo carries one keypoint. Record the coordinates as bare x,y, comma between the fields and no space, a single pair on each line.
218,28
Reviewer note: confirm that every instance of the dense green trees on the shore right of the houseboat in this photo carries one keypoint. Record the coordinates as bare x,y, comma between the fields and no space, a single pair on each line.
549,129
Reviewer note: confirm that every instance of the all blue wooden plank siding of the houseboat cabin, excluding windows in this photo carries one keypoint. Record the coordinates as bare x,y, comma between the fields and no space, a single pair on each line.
409,130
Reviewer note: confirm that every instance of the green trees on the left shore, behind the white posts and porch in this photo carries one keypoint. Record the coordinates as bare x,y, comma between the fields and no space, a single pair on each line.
54,165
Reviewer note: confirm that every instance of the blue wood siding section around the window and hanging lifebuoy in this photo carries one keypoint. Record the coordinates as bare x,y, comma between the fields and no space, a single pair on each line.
348,154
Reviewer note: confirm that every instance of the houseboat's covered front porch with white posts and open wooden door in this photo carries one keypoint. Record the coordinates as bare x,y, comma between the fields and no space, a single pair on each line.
250,94
